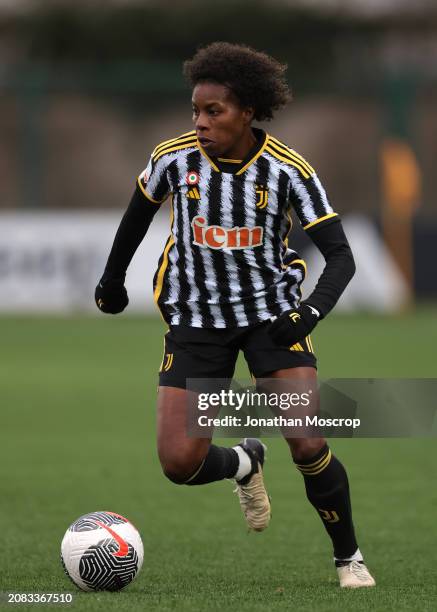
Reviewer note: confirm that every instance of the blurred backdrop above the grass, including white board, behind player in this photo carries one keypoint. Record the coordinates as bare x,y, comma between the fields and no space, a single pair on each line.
88,88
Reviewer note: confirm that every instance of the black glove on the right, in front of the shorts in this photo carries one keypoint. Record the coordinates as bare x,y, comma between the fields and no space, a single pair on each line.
294,325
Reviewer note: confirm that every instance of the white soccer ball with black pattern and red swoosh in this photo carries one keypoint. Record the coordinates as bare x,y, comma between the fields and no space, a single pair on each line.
102,551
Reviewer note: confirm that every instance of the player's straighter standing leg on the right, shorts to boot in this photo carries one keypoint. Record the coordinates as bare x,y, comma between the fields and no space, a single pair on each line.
325,477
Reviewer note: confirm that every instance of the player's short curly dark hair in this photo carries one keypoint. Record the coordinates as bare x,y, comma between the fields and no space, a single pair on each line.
256,79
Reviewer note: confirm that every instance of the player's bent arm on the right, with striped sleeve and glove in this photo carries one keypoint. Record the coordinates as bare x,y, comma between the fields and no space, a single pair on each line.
325,229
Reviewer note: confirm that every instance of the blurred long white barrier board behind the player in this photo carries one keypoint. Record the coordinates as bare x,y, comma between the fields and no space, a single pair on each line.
51,262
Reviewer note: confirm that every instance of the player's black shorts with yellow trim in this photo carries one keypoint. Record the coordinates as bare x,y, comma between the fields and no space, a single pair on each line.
191,352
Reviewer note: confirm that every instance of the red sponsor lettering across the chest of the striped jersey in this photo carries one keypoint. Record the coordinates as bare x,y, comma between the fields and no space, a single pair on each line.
218,237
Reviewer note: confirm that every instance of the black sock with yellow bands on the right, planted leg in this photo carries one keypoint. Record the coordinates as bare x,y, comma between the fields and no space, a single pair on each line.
327,489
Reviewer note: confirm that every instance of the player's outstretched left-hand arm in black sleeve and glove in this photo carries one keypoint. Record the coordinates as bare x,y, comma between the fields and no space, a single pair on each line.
150,191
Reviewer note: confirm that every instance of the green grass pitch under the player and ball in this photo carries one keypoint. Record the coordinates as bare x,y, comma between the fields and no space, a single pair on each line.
77,434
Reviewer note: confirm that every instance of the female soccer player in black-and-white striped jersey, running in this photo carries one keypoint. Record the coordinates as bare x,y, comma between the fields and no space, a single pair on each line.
226,273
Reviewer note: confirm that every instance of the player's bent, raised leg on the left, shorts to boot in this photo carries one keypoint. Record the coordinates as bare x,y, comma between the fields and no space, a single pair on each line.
202,354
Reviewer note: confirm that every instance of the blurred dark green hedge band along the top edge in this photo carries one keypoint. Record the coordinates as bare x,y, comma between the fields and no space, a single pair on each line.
326,48
